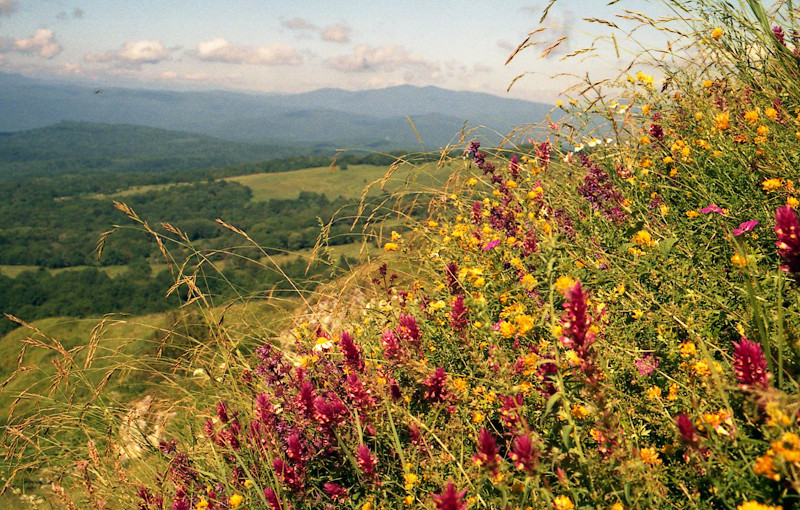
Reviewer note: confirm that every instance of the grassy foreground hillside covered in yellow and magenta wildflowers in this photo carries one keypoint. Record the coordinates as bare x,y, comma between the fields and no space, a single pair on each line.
606,318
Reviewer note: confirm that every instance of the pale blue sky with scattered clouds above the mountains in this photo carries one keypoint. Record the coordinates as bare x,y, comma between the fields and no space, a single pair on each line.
283,46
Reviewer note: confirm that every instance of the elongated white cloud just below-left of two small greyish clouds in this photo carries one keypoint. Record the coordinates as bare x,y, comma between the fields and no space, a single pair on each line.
222,50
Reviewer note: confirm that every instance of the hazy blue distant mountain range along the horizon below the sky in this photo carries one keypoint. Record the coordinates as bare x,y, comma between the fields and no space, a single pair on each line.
371,119
